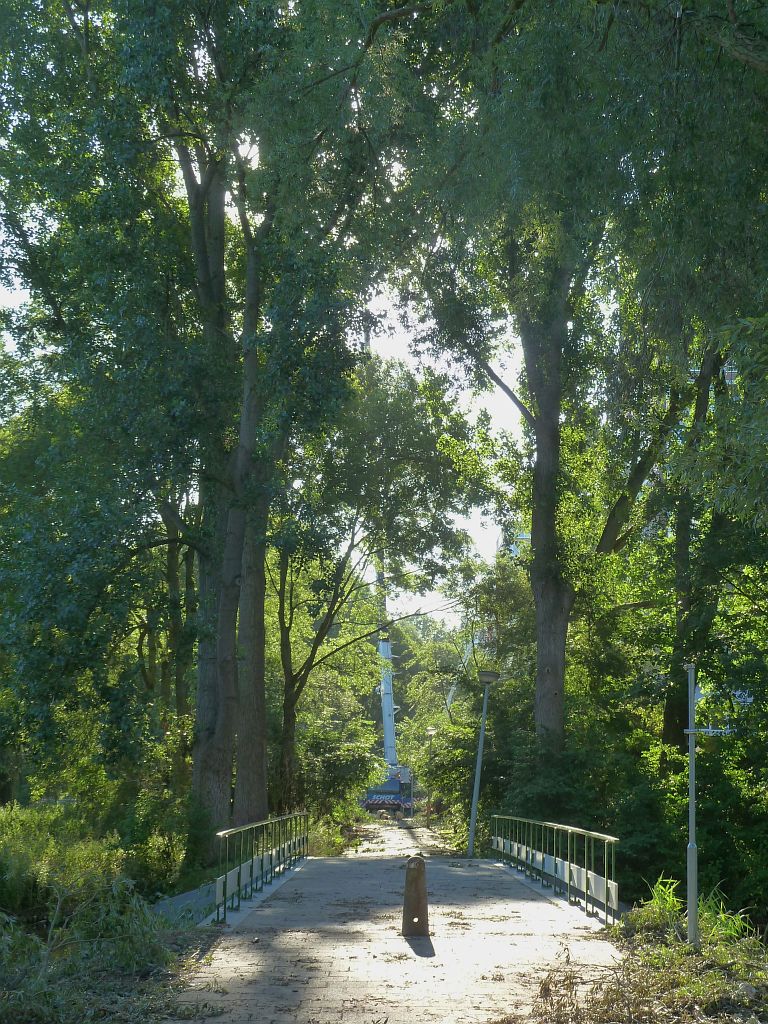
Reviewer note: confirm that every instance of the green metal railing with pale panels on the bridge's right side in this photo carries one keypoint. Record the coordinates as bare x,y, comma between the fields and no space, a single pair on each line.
579,864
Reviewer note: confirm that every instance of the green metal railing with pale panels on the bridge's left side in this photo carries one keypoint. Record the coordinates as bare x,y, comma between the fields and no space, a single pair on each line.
251,857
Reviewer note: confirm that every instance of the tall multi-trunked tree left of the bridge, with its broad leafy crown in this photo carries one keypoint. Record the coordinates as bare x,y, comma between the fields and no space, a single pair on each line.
200,125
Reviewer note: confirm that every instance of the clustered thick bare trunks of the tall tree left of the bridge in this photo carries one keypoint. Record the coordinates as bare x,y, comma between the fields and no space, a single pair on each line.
242,573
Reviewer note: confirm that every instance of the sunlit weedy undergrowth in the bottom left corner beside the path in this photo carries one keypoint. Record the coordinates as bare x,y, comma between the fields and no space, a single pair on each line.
77,942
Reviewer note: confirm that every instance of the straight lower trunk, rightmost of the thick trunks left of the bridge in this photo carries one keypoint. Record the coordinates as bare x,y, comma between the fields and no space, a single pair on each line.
251,786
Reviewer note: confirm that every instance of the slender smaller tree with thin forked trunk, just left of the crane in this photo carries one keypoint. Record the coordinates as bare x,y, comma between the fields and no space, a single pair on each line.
380,489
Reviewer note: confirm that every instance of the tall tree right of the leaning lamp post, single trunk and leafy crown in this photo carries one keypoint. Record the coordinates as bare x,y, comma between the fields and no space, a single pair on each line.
543,204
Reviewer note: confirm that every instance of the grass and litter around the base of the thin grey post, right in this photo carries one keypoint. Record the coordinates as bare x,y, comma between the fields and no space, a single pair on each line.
661,978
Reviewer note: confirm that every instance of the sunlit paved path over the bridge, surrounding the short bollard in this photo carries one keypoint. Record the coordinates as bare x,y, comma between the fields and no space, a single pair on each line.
326,949
